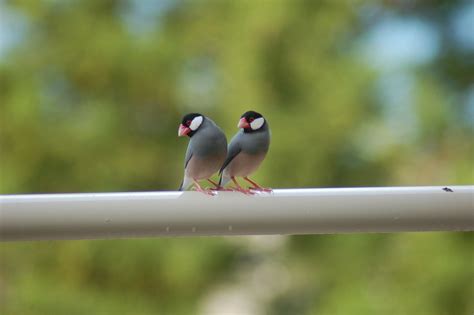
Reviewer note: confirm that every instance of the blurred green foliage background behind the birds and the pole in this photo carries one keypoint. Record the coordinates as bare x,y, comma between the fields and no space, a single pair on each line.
357,93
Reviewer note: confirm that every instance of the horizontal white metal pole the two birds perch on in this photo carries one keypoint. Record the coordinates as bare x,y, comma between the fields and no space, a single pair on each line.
285,211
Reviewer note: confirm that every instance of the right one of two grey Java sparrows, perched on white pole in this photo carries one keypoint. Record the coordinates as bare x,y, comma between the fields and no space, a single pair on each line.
246,151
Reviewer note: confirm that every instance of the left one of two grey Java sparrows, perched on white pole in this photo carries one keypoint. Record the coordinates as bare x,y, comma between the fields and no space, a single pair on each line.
207,150
